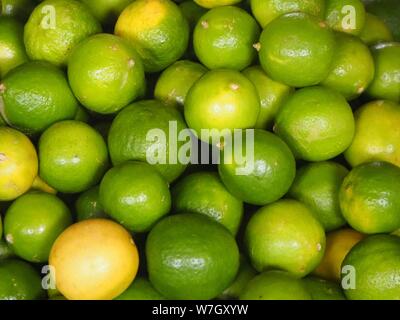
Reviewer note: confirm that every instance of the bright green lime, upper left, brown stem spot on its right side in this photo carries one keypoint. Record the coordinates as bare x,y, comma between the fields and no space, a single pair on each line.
105,73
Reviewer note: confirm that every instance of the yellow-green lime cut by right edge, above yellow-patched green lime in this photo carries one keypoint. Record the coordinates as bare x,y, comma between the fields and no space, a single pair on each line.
377,138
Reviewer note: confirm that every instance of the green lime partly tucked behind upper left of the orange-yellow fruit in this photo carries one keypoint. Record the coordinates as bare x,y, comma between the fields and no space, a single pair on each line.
32,224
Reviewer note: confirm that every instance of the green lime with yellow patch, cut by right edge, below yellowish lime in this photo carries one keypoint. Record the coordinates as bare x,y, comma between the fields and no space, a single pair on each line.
369,198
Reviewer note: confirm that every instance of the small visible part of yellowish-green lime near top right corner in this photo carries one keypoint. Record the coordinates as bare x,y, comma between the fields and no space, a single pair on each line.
375,31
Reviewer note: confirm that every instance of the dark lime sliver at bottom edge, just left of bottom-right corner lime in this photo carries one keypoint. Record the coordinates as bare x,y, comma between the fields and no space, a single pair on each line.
321,289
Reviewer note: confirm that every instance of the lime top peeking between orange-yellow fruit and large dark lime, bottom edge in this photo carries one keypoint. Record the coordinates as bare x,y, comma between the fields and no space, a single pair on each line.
140,289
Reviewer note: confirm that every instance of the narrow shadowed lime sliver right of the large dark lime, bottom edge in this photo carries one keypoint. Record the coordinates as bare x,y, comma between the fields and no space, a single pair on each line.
245,274
